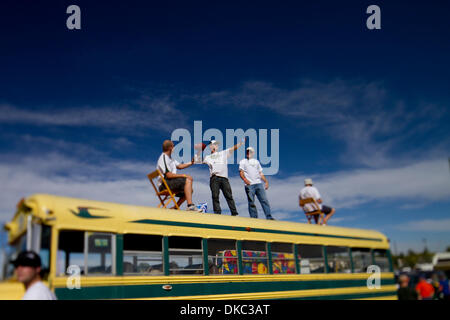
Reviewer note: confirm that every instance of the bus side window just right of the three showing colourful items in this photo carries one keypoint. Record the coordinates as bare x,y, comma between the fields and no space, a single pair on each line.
311,258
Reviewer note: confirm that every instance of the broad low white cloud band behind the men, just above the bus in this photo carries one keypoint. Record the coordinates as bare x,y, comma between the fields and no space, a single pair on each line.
126,182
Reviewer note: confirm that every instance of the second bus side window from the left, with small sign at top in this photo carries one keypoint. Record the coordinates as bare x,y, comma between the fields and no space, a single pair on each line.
99,253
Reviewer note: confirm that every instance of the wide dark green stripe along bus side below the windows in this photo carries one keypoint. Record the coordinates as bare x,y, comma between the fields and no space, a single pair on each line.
198,289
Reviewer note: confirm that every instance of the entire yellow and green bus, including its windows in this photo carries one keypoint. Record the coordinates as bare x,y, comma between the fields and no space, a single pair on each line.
100,250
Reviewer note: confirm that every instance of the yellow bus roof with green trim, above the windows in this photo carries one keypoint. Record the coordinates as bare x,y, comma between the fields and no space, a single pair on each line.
81,214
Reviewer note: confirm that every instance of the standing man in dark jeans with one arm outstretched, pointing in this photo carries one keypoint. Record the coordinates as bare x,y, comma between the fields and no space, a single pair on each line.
218,168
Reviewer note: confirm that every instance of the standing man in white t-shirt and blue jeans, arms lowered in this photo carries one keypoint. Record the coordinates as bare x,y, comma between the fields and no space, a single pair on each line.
250,171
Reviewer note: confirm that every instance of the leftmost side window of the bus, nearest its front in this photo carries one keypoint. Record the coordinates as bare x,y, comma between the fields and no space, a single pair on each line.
70,251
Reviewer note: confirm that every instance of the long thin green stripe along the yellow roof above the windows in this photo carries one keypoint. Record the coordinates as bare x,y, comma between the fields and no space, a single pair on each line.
232,228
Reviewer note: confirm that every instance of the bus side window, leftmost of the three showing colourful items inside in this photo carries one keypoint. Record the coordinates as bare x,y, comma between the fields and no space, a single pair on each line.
222,256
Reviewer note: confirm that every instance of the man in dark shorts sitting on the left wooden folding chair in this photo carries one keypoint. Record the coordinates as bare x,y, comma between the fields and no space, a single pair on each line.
179,184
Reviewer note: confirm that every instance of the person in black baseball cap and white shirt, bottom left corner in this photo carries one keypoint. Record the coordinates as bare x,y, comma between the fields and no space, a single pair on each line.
28,271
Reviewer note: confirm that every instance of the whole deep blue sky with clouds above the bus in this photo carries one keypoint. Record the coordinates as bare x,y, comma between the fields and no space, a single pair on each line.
363,112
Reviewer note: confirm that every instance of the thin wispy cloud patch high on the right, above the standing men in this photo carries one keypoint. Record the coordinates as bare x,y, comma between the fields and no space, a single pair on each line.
371,123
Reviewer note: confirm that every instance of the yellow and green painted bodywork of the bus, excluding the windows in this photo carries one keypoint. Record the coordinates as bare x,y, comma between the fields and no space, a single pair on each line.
63,213
